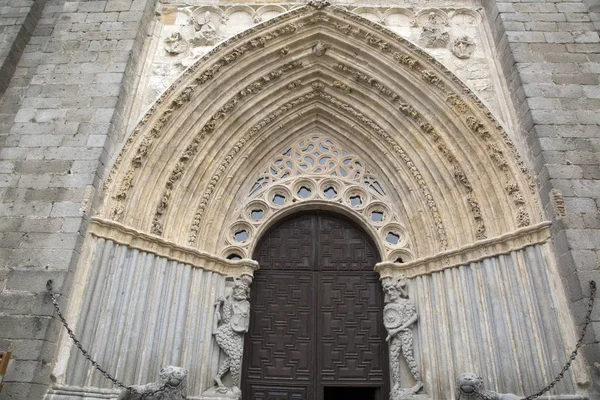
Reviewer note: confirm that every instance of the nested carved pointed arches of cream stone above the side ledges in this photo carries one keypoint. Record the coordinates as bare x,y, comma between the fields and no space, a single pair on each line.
201,157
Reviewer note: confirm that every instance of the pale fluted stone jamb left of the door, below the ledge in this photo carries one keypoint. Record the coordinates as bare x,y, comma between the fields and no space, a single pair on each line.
143,312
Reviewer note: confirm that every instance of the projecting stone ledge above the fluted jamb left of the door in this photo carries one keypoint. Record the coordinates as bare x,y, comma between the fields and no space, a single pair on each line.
152,244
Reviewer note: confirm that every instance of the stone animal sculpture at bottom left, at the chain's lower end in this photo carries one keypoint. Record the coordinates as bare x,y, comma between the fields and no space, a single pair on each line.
175,379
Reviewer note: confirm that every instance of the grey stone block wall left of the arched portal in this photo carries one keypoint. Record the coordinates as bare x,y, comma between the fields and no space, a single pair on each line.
59,118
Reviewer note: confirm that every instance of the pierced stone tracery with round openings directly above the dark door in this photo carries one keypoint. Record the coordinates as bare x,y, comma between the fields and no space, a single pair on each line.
316,171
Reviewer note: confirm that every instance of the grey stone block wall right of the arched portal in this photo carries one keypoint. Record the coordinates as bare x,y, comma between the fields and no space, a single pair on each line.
550,54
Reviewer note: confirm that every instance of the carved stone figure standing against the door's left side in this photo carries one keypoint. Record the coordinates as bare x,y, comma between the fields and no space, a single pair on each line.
232,321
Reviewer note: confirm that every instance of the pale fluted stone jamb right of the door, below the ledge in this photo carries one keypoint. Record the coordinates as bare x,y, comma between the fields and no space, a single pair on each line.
497,318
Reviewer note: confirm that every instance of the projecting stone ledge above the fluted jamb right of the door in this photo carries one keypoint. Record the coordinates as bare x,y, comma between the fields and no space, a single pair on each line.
536,234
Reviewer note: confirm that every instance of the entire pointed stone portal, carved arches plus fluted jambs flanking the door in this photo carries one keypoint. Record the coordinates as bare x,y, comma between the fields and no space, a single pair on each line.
455,184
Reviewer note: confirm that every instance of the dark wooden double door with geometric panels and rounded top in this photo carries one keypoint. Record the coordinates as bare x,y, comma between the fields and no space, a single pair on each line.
316,327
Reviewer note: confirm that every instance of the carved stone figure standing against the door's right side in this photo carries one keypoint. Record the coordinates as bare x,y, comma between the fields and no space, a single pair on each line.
399,314
